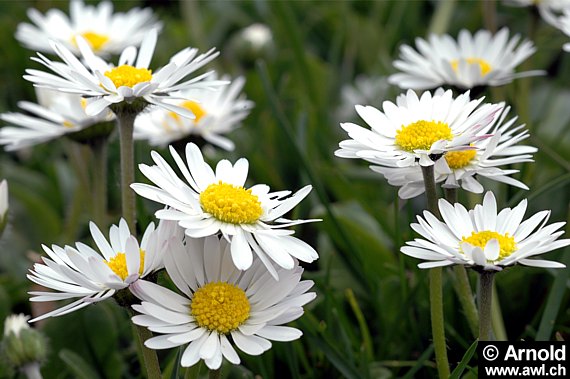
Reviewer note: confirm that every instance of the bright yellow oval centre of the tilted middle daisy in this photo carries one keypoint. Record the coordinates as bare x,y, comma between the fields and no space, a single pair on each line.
231,204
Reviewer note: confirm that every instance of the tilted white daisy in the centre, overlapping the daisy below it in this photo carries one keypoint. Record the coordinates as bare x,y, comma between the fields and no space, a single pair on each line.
209,202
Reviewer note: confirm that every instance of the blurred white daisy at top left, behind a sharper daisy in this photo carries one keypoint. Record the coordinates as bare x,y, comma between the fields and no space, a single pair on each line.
105,32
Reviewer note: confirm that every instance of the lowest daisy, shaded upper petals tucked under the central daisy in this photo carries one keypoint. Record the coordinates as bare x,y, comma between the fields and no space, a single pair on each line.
221,306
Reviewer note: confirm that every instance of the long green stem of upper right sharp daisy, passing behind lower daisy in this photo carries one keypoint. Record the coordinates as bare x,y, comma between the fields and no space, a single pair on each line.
436,286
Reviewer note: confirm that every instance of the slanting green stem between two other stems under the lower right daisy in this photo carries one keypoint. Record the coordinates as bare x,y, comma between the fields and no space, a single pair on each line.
461,283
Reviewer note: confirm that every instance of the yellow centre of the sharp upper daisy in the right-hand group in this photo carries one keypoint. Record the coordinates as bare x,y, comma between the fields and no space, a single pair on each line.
422,134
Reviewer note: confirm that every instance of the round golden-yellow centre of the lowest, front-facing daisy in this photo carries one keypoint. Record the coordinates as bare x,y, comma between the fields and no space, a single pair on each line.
220,307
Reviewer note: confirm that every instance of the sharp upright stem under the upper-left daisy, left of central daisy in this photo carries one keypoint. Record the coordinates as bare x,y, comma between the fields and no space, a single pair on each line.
126,125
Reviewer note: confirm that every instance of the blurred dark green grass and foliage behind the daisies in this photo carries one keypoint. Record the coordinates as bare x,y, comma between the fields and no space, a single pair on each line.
371,318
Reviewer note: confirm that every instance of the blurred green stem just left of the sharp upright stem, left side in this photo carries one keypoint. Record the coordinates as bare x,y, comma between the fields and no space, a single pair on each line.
99,181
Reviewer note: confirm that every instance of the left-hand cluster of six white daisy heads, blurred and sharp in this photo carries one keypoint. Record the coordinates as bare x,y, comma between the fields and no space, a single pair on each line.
227,247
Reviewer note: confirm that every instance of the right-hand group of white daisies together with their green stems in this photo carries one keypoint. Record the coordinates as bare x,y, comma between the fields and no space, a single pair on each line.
436,137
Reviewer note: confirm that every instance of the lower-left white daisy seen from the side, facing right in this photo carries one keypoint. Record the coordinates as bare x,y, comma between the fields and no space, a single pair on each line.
93,276
